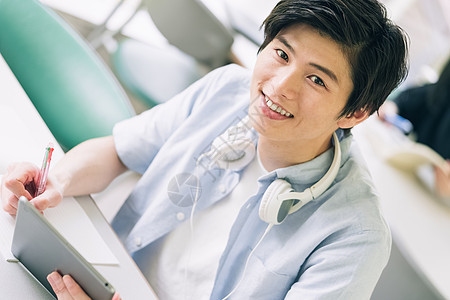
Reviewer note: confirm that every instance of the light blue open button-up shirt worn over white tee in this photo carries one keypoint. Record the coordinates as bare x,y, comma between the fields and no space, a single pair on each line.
335,247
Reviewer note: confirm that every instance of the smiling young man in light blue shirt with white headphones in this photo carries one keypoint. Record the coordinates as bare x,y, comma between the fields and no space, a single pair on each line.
323,68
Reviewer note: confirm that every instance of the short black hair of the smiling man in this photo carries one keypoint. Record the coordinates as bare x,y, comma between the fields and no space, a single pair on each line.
375,47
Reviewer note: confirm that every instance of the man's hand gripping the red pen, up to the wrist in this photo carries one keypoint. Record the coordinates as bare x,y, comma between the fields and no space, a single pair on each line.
21,180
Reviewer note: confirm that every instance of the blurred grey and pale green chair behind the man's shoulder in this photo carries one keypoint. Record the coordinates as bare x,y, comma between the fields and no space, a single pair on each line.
197,43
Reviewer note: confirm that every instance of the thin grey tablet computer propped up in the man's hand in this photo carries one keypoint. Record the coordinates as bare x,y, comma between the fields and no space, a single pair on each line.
41,249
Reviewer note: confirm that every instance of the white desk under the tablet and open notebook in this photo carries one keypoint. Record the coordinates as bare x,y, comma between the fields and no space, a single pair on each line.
15,281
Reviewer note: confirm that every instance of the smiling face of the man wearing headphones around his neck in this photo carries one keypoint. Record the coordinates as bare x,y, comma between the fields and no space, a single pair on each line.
300,84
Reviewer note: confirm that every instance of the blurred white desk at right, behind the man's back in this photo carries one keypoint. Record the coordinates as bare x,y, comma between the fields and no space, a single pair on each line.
420,224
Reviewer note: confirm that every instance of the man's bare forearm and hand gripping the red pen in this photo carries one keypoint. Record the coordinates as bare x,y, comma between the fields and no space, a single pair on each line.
87,168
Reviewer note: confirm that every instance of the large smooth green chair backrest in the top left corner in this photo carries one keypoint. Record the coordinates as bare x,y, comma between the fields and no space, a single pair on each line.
73,90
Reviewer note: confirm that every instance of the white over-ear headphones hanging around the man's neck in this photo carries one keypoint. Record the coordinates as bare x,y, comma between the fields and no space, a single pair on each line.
234,150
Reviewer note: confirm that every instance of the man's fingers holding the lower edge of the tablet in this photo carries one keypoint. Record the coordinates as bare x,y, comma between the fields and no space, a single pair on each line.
66,288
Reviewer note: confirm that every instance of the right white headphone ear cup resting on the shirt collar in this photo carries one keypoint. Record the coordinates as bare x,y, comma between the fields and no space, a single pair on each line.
272,210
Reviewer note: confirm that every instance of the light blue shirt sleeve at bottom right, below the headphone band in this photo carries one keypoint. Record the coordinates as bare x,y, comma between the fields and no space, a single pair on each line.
344,267
